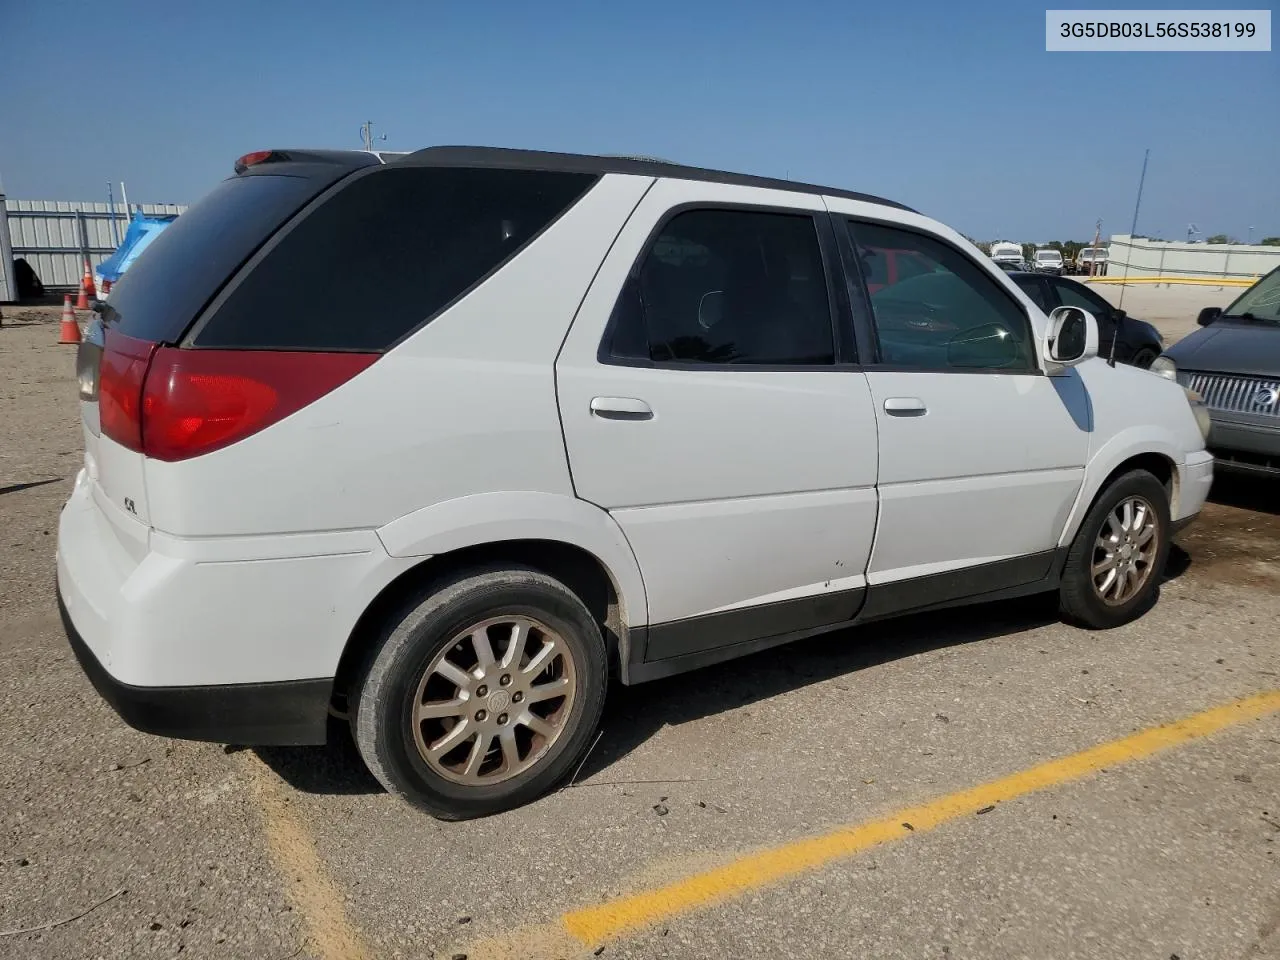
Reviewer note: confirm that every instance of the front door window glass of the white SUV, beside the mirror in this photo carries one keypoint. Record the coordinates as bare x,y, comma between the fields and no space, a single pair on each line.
954,317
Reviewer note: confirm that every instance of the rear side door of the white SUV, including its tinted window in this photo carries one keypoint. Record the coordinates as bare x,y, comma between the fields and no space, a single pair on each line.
711,408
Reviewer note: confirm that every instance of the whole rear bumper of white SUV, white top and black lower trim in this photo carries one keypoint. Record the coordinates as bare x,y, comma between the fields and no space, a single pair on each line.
225,639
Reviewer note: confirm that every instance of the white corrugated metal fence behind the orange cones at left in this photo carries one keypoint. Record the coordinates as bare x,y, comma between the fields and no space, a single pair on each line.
56,237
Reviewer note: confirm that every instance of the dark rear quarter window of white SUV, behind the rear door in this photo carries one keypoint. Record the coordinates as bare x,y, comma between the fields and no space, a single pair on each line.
386,254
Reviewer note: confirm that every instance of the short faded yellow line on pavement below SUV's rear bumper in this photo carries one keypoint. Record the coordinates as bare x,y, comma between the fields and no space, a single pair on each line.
317,899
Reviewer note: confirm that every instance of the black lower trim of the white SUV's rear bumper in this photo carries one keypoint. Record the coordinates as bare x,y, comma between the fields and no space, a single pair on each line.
292,712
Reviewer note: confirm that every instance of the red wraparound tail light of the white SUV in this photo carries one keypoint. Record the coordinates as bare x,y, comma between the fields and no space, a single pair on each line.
173,404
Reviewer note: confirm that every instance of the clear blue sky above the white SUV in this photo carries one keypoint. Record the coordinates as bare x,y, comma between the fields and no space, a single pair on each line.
953,108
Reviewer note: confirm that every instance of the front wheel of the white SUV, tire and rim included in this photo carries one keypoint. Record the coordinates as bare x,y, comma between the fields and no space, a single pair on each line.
1116,564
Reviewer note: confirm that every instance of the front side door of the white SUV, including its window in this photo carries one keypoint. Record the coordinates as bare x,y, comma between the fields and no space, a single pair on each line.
981,454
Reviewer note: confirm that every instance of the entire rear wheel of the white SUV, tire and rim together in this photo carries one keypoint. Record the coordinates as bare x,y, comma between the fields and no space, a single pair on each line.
482,694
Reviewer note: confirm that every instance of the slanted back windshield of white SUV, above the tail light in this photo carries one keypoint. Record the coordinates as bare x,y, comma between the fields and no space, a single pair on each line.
171,282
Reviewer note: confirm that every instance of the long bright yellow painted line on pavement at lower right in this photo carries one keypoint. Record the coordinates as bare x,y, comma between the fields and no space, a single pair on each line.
595,925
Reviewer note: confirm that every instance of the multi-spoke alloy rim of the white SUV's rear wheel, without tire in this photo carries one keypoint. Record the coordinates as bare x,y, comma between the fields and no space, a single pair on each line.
495,701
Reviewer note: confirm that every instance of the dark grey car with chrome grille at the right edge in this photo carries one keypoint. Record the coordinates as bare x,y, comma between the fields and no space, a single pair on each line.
1235,364
